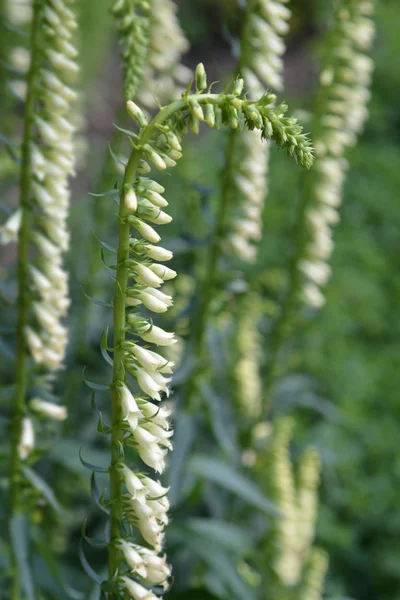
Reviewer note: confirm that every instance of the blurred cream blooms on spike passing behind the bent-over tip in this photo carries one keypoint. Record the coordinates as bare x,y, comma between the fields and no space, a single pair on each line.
261,68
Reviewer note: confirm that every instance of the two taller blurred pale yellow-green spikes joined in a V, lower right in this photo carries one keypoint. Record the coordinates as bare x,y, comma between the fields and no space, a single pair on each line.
295,529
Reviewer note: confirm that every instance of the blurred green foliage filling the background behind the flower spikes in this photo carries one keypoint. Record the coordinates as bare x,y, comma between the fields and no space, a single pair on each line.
342,367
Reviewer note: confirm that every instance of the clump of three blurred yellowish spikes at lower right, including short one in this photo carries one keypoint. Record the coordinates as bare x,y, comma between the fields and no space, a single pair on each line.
295,563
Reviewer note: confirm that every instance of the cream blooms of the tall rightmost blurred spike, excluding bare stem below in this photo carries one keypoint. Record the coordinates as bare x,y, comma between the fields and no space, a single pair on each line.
345,92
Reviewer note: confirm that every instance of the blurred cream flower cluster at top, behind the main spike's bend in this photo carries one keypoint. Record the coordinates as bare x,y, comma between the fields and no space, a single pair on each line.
164,74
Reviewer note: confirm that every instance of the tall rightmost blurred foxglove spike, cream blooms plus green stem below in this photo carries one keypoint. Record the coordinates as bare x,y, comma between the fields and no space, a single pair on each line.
340,114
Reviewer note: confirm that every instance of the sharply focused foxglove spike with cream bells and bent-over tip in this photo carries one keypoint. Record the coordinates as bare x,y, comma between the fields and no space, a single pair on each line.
136,500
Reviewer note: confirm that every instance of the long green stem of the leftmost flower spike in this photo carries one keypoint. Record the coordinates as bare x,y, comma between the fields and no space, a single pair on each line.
23,282
